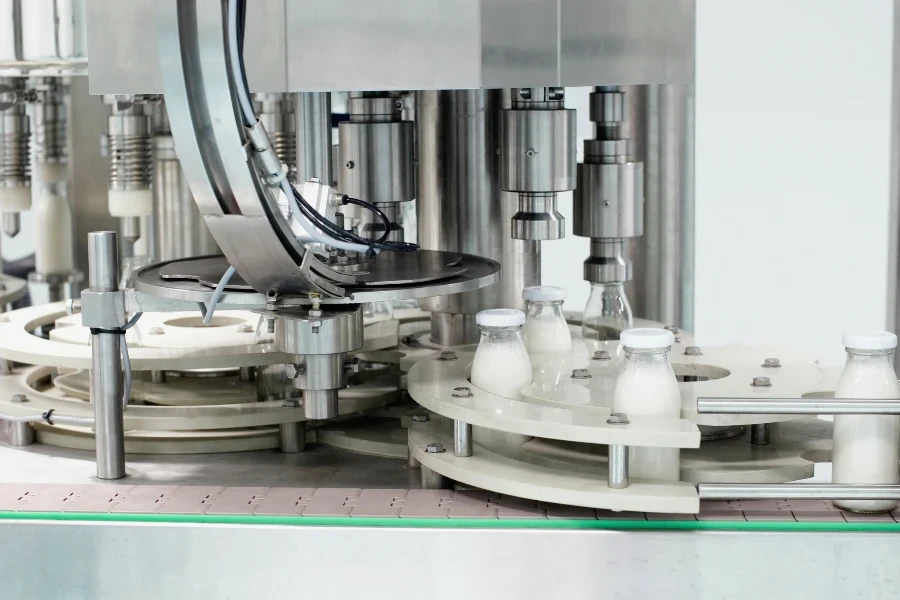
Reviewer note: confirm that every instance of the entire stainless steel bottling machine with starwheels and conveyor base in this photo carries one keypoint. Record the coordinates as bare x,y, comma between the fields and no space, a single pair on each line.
263,231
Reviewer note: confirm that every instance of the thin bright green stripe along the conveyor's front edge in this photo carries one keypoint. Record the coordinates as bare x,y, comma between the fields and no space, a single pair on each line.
430,523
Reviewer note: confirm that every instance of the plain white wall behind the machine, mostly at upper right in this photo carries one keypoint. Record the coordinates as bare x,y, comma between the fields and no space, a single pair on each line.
792,173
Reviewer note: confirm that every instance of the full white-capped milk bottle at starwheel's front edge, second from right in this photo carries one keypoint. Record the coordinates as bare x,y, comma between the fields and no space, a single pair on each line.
647,387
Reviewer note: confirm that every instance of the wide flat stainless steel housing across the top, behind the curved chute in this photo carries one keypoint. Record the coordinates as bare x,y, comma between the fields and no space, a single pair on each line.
290,46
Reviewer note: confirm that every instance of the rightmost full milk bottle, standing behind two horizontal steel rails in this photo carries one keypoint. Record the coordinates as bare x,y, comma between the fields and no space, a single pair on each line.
867,447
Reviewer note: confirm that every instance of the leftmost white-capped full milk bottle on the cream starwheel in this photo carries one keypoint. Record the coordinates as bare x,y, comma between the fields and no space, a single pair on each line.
501,365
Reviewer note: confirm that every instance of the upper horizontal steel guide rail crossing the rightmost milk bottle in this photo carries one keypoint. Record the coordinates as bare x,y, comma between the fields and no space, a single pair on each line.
797,406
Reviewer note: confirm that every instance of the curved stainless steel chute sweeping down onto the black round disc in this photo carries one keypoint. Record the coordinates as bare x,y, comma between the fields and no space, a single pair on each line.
240,210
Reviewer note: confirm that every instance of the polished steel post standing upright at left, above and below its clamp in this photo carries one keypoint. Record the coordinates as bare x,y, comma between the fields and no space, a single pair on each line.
106,369
